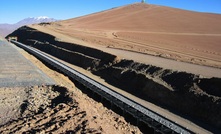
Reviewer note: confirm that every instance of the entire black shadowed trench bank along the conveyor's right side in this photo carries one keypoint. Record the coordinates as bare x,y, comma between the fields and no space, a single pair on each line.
186,94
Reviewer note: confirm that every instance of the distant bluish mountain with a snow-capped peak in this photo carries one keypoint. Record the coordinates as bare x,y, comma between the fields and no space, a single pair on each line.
6,29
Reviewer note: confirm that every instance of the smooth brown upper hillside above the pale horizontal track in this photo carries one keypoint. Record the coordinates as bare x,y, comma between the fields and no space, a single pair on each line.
149,18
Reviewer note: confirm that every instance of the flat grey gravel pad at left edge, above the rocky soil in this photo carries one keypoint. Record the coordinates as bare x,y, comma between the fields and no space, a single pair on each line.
16,70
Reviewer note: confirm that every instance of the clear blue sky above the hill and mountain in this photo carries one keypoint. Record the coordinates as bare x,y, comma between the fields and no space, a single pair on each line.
12,11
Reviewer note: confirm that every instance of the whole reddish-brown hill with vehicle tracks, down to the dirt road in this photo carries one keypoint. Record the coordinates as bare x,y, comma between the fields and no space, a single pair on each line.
161,31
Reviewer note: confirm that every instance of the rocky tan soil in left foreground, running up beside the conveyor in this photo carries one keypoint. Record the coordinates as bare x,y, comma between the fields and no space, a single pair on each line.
56,109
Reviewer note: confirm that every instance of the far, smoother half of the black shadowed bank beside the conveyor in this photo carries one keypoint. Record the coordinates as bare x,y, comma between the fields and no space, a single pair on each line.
85,57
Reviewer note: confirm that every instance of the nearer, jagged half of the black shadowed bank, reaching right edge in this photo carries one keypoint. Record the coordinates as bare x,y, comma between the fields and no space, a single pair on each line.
183,93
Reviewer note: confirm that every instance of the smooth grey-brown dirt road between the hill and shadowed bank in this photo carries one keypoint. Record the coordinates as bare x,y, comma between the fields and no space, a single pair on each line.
166,63
